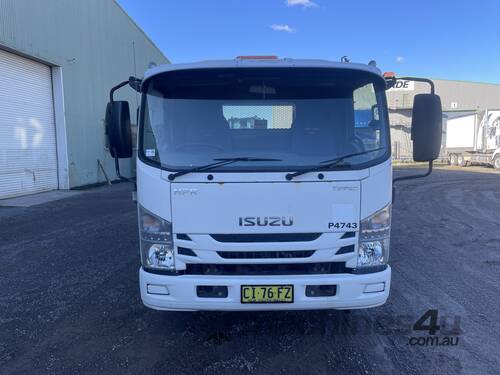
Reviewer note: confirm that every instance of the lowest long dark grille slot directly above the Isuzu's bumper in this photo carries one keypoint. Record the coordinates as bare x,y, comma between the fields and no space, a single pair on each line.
267,269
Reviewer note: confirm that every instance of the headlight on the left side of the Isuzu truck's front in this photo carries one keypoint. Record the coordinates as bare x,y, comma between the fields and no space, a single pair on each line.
156,241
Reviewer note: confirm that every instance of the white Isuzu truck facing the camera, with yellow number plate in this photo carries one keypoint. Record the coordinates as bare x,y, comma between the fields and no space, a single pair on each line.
291,210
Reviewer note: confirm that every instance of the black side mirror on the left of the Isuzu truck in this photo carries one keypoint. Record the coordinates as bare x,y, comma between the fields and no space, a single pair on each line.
118,129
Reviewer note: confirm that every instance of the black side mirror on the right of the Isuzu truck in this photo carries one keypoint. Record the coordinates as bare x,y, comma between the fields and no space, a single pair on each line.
426,127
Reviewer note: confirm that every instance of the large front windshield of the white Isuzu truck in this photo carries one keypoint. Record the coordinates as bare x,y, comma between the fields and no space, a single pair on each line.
291,118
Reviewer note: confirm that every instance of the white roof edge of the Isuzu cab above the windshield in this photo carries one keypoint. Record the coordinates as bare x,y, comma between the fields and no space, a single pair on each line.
261,63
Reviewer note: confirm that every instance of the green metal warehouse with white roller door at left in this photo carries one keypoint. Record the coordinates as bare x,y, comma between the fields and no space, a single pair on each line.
58,60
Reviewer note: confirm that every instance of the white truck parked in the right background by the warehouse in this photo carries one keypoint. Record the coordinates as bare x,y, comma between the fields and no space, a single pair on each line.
474,138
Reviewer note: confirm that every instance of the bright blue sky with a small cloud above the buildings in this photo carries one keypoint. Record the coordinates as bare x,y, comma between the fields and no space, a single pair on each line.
452,39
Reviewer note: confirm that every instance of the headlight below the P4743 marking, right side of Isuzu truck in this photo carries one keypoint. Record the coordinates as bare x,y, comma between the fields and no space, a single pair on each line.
374,238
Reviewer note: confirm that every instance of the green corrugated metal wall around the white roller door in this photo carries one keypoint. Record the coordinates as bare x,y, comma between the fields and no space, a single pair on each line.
97,45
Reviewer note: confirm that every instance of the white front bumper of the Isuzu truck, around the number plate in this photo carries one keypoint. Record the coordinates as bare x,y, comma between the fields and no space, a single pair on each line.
351,291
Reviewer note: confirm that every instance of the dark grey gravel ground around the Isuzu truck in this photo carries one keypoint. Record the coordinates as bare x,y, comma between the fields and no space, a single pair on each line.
69,300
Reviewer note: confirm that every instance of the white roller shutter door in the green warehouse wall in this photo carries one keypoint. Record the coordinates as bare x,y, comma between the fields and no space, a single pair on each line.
28,157
